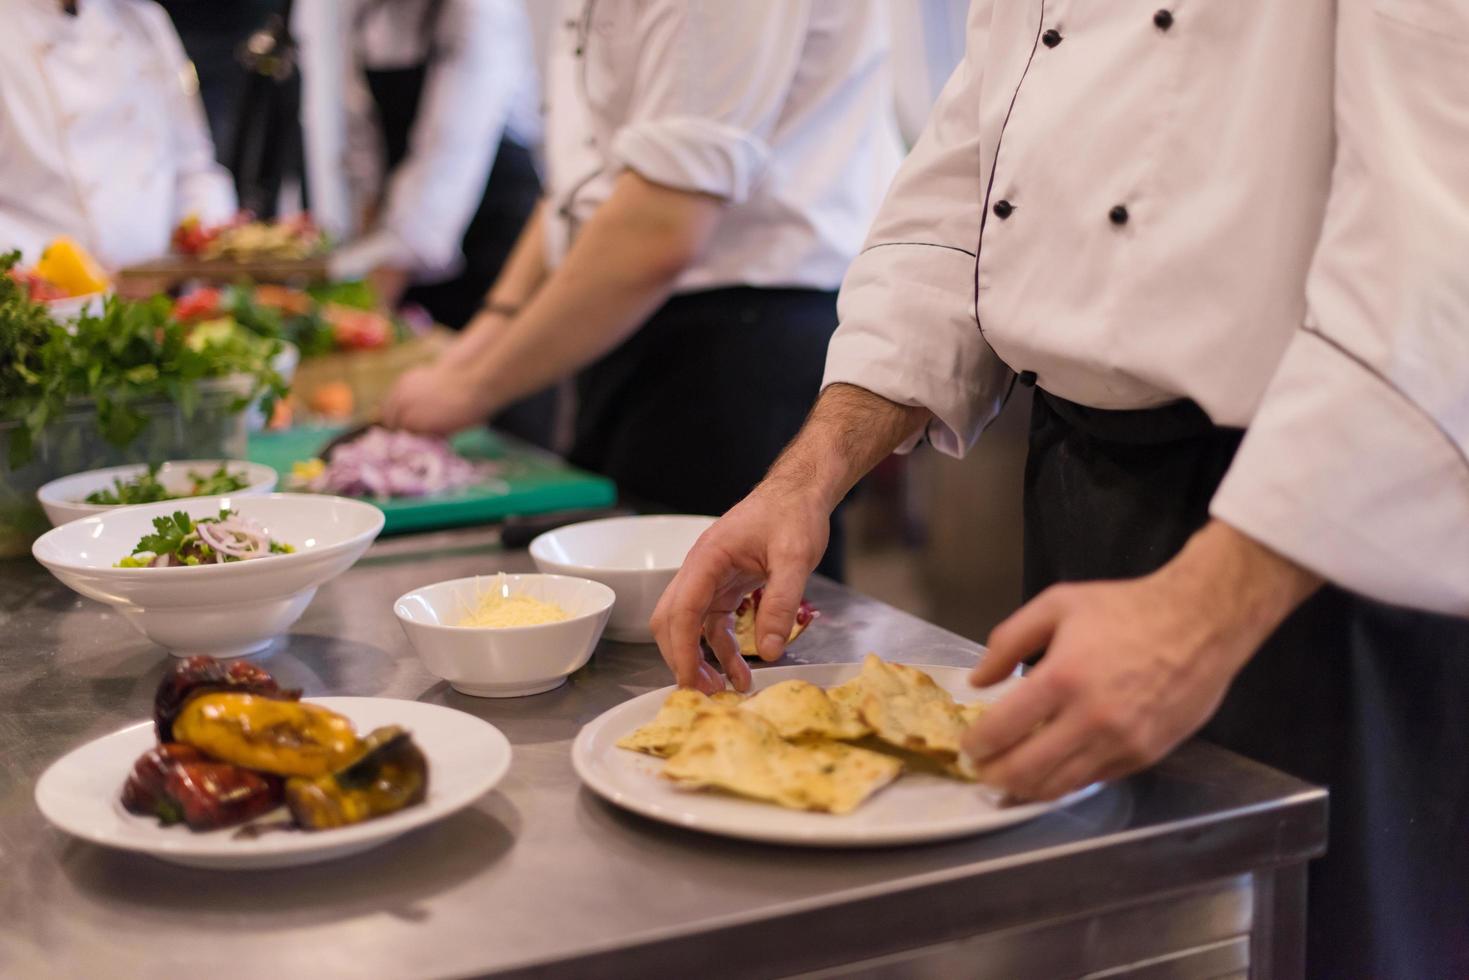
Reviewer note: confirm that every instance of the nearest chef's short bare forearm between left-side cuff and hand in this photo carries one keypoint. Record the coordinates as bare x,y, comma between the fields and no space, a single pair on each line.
850,431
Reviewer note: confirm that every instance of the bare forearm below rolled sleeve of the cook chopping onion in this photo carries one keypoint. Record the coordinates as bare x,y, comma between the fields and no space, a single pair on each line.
621,270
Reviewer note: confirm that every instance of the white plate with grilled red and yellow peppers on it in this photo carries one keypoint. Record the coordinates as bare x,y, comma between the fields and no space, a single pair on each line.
237,772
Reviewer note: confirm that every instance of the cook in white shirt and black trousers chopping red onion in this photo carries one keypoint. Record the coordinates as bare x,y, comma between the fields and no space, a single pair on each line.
712,170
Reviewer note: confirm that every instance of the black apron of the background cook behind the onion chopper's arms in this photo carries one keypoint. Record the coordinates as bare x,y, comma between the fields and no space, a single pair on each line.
510,196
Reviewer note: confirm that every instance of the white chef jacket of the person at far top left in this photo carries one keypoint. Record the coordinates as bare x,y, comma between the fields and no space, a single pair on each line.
102,131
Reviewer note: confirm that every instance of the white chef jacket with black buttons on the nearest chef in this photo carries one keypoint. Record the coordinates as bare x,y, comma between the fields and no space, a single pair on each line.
1255,205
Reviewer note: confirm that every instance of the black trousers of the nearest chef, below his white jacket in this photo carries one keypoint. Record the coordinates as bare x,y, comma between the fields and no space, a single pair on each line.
1368,700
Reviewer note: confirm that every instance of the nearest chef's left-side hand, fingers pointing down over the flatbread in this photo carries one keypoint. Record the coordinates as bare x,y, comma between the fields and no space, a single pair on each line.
775,538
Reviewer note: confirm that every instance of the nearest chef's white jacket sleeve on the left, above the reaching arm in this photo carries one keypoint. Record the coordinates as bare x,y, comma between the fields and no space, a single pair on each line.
909,328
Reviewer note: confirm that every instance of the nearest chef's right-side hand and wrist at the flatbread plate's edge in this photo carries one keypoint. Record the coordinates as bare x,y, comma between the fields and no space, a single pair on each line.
1132,668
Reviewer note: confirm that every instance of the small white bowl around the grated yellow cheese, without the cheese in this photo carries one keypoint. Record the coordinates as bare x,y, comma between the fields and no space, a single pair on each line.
512,662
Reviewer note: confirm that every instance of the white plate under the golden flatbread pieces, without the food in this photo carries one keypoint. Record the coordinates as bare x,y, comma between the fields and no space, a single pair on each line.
912,810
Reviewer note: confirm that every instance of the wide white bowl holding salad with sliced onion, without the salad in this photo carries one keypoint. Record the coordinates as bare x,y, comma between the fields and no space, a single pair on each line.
223,610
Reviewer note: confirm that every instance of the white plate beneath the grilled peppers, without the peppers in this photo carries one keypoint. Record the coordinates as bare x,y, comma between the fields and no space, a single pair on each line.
80,793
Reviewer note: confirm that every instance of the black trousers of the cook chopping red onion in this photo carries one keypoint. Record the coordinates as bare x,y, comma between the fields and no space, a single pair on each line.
693,411
